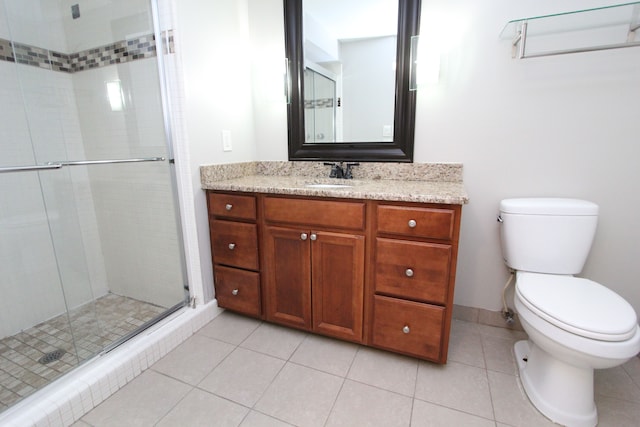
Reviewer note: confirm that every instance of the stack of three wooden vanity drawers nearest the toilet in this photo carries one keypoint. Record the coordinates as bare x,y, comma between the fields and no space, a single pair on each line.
415,255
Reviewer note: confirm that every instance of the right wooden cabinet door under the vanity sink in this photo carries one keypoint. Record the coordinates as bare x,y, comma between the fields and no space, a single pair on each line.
337,270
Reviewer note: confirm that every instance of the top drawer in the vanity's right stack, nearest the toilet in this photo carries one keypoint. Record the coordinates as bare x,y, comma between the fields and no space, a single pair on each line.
432,223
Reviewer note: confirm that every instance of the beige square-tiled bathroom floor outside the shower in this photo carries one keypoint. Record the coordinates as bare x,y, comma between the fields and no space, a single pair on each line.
238,371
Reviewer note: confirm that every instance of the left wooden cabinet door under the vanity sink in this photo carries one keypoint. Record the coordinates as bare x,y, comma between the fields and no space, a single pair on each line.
287,276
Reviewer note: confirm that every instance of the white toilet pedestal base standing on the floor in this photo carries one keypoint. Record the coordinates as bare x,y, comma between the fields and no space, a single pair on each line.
562,392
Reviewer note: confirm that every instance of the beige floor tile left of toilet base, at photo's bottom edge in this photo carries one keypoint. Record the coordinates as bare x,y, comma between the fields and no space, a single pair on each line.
510,403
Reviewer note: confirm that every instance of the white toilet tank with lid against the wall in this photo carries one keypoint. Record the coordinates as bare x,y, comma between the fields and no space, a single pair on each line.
547,235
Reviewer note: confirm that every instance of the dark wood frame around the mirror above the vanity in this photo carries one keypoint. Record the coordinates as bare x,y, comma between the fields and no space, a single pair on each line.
401,149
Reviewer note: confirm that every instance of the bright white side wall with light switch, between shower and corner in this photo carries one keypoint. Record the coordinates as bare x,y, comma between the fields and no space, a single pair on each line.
213,45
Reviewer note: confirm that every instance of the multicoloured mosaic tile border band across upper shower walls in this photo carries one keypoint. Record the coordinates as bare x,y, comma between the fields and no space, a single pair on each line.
120,52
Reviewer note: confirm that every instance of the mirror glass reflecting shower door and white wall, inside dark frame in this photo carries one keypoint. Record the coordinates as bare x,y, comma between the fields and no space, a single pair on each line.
349,70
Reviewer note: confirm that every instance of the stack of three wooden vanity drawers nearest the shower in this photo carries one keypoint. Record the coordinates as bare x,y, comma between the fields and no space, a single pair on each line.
234,248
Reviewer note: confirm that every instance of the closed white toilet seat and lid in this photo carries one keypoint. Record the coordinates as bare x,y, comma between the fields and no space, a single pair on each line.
578,305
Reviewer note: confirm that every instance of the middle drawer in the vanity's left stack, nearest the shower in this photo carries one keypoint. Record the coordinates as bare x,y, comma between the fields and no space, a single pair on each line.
234,243
